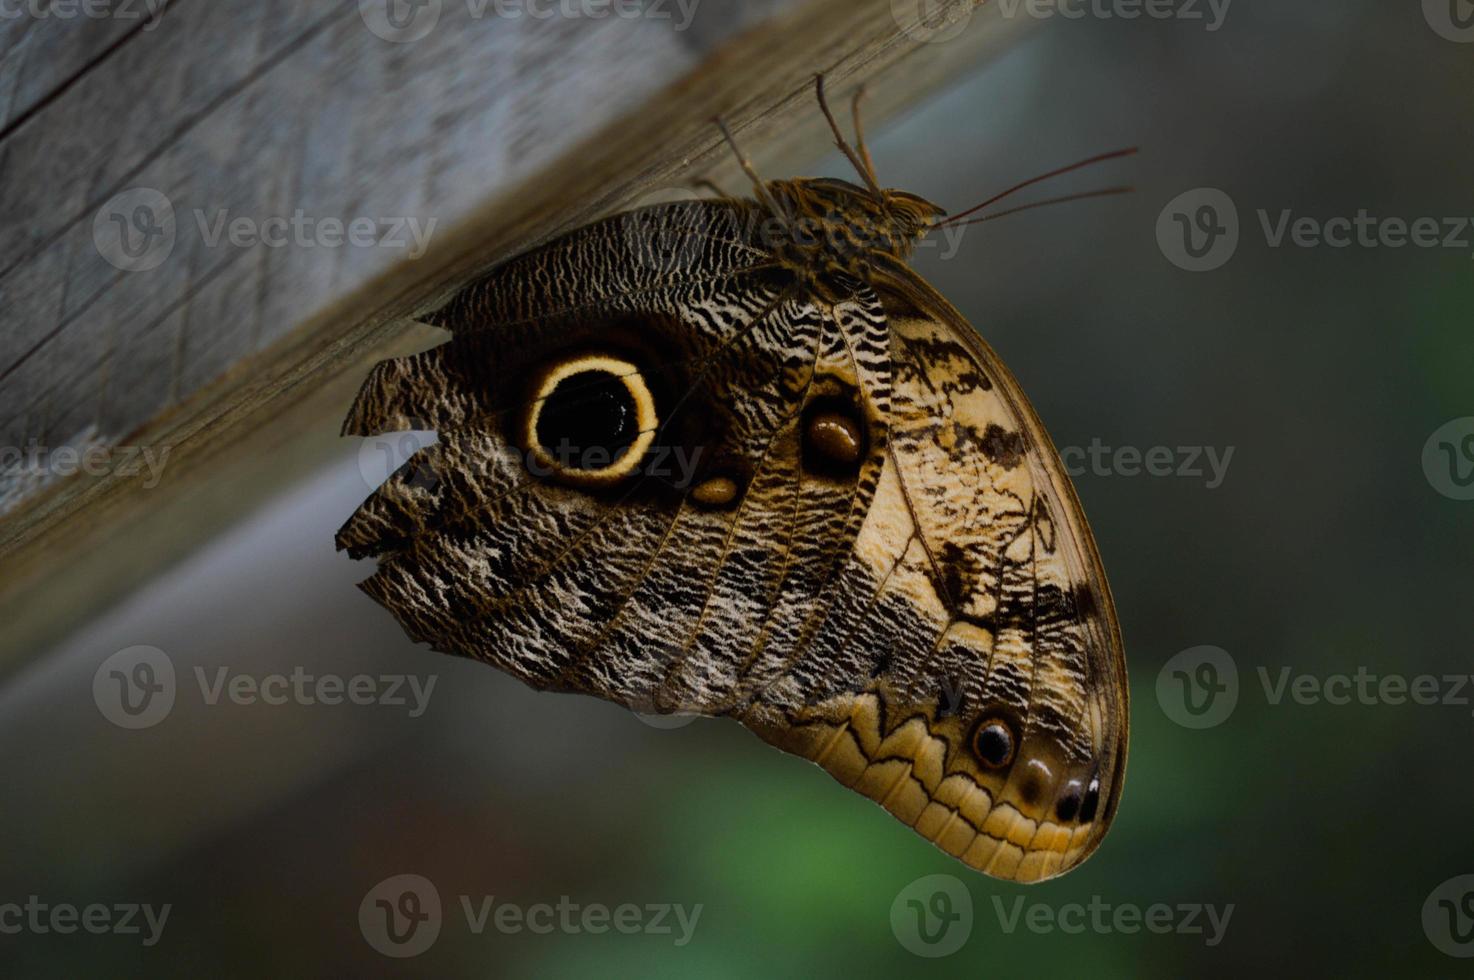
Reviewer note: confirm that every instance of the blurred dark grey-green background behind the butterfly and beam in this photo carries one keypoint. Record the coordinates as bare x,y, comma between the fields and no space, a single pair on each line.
1326,549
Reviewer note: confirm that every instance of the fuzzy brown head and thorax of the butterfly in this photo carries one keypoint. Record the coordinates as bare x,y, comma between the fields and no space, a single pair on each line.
828,228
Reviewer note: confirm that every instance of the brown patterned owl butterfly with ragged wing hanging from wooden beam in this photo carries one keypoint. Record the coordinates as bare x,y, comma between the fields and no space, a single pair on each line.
735,458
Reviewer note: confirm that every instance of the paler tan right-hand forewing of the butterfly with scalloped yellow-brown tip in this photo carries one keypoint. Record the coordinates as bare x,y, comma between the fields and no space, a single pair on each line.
978,581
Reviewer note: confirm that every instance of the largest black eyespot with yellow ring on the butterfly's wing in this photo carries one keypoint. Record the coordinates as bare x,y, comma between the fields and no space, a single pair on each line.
590,421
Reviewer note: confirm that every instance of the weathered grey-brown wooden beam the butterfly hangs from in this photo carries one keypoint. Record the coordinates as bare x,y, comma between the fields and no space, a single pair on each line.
240,359
